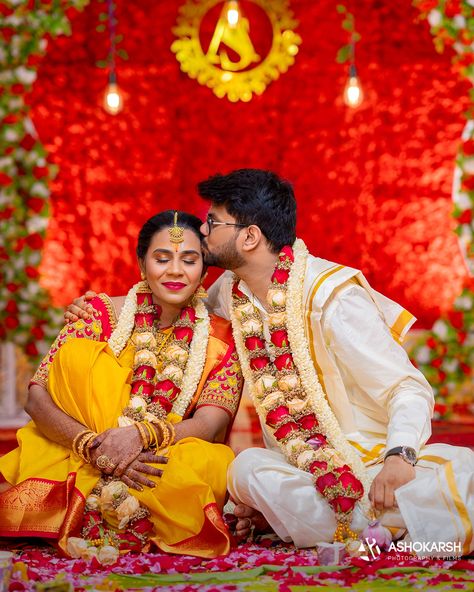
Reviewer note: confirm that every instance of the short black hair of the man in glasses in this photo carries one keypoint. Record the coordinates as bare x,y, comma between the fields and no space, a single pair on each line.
255,196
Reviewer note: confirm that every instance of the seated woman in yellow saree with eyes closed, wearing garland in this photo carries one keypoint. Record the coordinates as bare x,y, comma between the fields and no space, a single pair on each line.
130,411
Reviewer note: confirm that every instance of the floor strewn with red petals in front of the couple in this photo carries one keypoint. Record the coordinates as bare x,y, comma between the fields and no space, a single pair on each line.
249,568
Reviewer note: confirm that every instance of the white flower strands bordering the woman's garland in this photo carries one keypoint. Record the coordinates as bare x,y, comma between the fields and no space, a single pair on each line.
197,352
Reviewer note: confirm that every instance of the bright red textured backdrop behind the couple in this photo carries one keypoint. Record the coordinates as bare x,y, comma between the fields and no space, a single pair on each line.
373,185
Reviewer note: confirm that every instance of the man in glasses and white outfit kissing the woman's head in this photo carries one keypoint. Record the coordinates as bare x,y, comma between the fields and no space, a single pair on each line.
342,408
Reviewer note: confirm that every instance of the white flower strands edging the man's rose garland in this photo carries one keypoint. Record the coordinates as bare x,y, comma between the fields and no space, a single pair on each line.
309,379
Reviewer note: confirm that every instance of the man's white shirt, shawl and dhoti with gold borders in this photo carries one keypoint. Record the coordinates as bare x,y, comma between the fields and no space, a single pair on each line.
380,401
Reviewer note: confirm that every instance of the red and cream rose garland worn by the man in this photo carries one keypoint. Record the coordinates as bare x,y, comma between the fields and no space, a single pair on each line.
286,391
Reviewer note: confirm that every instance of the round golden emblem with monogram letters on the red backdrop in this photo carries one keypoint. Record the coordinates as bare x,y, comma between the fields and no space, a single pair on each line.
235,48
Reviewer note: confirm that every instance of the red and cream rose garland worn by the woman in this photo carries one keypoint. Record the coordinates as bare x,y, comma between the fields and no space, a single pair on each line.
110,508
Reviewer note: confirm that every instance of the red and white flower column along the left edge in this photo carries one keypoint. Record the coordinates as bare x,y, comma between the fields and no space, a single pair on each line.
26,315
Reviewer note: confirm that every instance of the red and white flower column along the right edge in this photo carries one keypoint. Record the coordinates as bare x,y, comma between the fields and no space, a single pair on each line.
446,353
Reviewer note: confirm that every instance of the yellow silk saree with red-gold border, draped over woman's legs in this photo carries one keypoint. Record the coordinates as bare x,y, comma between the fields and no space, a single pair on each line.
91,385
